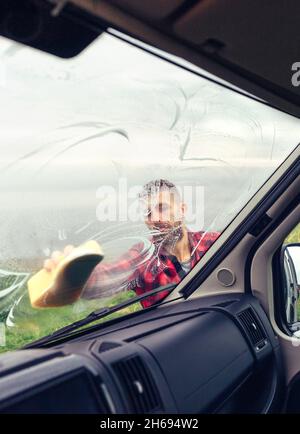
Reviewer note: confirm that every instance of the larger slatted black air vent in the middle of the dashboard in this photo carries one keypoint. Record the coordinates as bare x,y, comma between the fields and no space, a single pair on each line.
141,393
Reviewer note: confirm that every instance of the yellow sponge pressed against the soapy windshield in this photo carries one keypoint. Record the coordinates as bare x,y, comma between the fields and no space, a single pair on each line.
64,284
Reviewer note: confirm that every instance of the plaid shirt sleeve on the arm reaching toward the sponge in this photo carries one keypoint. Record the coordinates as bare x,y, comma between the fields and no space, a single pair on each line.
122,273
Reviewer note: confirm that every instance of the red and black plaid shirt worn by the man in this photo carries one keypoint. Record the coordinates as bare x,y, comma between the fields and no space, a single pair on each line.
158,270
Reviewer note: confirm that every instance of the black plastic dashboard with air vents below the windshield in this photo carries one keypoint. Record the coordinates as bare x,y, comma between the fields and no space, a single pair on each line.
213,354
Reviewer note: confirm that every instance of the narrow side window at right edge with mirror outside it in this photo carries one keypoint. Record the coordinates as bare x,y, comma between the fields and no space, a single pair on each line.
290,263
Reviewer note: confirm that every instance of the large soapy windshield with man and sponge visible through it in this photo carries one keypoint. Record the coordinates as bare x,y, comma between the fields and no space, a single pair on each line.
118,147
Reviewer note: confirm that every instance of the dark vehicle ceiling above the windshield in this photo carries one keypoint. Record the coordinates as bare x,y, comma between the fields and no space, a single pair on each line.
250,43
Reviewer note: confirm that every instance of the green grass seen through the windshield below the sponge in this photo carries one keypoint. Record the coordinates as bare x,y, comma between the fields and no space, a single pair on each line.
32,324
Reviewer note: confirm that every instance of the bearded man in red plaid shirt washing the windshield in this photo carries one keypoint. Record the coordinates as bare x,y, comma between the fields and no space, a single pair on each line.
175,249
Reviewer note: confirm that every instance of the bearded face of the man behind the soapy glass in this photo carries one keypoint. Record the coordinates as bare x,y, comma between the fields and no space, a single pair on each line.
164,215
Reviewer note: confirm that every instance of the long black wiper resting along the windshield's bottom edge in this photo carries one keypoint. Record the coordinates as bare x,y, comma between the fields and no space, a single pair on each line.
99,314
